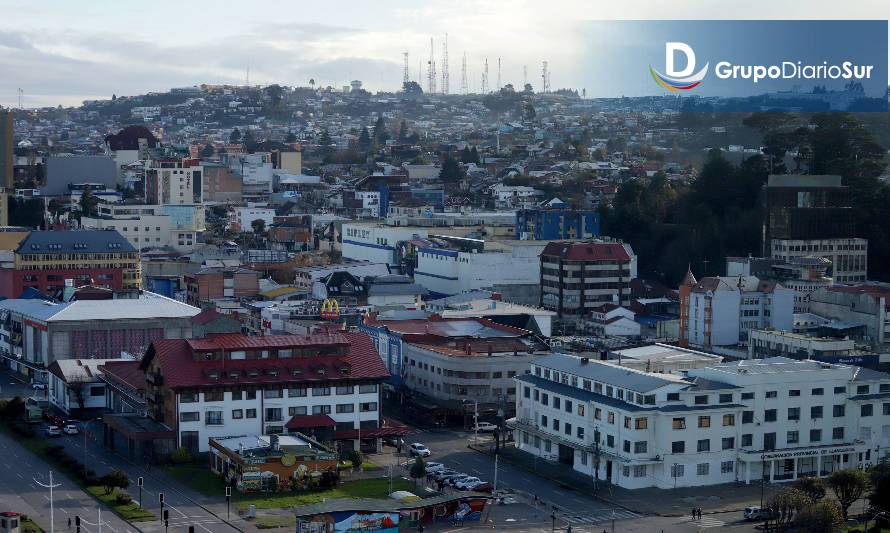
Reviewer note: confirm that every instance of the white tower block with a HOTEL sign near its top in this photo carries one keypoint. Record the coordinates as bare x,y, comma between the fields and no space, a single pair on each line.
174,182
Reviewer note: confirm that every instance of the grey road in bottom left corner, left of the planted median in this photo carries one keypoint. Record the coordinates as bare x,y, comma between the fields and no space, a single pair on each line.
18,491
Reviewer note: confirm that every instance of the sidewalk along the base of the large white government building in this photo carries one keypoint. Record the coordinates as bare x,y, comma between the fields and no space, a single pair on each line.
648,501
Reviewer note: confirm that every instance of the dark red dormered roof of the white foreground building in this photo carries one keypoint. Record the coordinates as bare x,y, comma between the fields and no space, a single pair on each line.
180,368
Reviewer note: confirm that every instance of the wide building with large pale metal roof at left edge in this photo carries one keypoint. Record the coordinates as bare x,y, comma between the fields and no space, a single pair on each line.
35,332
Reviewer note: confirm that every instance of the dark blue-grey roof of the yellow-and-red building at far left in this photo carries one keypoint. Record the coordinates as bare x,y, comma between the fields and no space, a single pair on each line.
75,242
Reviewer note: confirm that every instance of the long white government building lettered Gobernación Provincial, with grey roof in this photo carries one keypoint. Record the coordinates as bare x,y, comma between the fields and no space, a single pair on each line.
775,419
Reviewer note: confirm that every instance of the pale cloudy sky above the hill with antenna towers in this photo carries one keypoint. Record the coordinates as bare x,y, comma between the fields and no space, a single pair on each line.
64,51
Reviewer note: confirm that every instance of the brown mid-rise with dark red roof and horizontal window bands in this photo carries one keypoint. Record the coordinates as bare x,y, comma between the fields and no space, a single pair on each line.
577,277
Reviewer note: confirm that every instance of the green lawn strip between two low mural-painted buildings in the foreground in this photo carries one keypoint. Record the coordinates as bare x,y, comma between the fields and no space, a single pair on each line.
362,488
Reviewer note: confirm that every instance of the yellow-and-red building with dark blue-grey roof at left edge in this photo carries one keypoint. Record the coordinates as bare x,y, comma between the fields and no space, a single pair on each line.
45,259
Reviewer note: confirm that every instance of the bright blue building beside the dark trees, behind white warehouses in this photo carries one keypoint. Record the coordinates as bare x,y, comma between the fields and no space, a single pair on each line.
556,221
